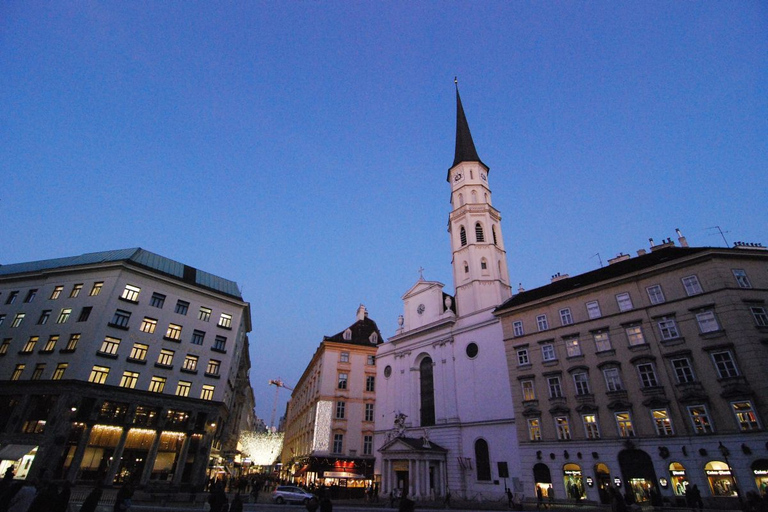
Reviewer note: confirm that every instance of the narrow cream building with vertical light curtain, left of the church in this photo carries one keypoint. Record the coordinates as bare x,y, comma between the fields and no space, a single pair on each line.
330,417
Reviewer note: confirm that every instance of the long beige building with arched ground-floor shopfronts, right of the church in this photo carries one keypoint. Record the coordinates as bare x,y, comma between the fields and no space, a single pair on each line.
647,374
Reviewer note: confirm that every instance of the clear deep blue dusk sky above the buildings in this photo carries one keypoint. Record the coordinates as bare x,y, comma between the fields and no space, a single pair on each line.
301,148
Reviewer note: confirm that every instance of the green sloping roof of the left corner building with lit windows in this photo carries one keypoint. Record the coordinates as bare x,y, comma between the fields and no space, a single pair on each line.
136,256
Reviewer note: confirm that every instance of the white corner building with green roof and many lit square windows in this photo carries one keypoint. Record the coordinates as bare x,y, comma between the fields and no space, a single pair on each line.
119,366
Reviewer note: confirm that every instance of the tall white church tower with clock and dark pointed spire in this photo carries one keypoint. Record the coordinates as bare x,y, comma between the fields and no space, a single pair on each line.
480,272
